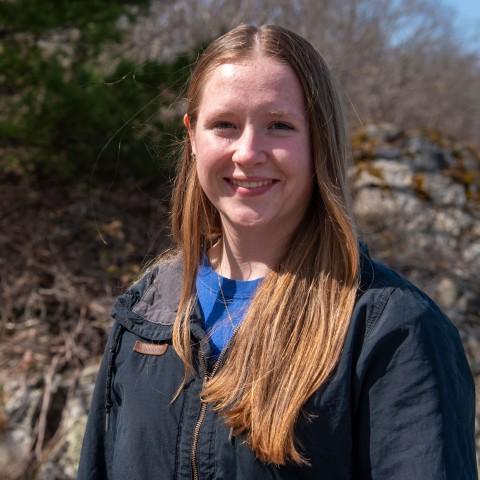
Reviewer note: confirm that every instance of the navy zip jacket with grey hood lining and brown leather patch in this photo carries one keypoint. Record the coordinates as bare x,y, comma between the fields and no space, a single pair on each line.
399,406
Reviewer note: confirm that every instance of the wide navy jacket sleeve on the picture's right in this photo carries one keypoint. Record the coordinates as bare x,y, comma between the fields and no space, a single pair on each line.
415,413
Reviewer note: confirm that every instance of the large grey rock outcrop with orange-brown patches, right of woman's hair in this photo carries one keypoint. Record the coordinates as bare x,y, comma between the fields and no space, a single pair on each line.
414,211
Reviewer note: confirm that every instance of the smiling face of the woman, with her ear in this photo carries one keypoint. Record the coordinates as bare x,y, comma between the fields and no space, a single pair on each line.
252,145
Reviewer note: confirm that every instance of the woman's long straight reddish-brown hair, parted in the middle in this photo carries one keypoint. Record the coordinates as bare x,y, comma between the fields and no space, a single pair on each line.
301,311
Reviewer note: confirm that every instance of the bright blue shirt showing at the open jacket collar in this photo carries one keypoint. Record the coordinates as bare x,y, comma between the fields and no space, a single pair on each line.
222,313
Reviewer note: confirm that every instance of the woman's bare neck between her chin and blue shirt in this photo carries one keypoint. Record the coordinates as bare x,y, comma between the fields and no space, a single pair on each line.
246,254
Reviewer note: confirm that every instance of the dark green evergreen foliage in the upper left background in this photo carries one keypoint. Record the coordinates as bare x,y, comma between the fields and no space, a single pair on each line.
66,119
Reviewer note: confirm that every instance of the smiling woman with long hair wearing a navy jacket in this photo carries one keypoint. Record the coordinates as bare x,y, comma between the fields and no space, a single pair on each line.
271,345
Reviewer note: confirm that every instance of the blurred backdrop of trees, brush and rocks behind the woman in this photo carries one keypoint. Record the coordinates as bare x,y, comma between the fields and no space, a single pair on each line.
90,123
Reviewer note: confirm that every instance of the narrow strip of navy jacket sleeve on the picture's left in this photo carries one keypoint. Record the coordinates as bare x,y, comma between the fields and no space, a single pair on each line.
97,446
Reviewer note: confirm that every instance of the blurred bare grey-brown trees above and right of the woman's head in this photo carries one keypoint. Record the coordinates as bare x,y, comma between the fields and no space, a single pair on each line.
398,61
